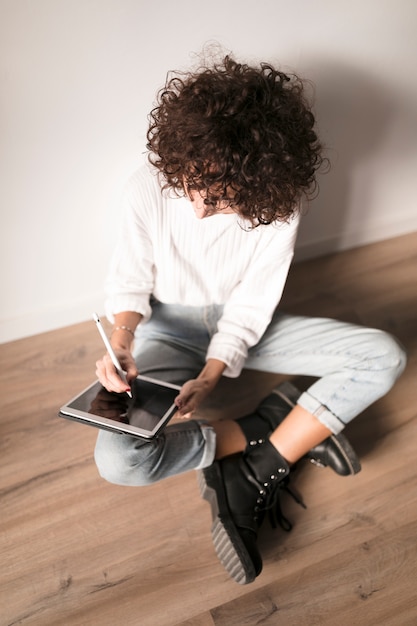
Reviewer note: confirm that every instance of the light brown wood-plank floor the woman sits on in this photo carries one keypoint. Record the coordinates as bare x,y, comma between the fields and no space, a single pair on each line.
76,551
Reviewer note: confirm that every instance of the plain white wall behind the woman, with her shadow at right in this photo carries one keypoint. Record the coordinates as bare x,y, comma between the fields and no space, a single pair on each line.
78,78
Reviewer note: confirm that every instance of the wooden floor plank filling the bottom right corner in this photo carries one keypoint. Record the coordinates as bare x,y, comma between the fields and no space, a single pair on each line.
354,586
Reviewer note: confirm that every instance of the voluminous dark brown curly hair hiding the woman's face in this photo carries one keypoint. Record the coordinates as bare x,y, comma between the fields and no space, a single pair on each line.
244,136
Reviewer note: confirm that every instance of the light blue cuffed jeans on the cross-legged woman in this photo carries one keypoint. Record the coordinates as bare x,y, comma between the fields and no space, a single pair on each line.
354,365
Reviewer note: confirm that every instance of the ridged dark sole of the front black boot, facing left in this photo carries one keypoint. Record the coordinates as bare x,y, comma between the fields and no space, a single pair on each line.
227,542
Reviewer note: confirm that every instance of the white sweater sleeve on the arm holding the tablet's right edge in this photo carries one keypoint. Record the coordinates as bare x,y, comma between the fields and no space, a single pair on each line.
252,303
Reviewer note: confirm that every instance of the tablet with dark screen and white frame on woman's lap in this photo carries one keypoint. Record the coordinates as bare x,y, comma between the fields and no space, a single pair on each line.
144,415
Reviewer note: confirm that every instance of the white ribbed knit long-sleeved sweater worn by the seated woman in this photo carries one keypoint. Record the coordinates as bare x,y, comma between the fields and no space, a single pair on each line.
164,250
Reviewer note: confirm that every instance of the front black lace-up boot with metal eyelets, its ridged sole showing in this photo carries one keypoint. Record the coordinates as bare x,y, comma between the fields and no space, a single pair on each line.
240,489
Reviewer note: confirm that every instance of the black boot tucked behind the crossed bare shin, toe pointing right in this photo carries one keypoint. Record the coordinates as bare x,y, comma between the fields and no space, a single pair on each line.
335,452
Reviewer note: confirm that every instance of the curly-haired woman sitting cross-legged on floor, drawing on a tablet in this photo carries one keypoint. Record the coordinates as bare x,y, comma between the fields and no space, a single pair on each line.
207,238
